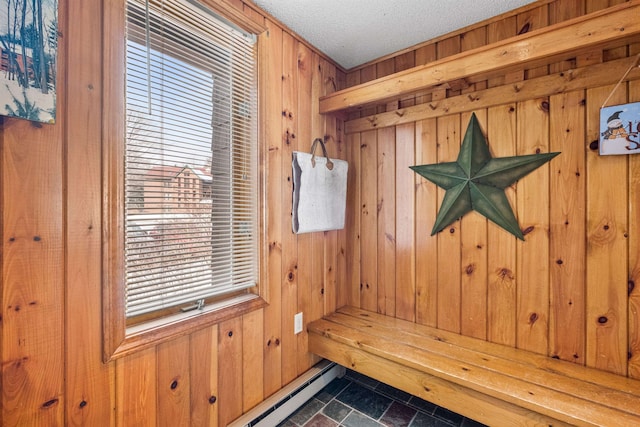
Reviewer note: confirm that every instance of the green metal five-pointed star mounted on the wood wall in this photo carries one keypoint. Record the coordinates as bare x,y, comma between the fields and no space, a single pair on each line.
476,181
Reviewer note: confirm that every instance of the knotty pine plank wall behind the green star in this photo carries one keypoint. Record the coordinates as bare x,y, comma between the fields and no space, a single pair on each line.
571,289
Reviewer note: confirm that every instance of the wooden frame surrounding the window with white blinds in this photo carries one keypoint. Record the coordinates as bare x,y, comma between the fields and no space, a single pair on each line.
118,339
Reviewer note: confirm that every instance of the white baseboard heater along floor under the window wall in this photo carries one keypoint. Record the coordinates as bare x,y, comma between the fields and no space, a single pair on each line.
283,403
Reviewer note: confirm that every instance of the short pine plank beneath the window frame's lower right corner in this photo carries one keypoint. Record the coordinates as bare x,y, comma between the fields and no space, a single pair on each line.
252,359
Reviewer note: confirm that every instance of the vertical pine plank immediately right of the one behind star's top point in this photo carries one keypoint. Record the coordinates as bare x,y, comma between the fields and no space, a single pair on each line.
501,246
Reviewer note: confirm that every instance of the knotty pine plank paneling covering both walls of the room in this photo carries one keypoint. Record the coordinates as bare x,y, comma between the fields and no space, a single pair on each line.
473,278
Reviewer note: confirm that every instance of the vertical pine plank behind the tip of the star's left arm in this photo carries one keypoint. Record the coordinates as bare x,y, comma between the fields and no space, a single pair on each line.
426,247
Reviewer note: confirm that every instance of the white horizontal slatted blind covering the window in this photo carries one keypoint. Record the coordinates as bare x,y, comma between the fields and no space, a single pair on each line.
191,156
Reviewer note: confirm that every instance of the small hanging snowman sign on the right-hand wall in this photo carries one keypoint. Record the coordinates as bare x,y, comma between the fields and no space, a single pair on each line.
620,129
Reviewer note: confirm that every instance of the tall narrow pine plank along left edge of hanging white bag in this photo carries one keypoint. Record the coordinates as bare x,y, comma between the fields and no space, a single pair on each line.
292,59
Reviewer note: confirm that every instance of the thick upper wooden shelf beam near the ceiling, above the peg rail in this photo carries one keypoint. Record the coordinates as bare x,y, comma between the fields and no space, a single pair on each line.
561,41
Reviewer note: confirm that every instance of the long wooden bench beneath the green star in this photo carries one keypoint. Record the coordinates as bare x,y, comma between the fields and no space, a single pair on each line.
490,383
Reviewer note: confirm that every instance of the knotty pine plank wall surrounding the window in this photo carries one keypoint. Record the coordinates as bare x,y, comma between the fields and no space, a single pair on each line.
52,372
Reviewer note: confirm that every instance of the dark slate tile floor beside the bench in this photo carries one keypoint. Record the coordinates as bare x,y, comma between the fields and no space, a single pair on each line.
359,401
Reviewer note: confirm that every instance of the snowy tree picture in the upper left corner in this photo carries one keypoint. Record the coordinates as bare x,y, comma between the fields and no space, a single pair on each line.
28,57
